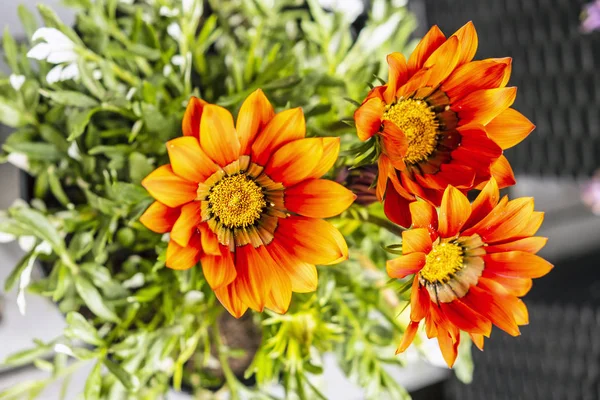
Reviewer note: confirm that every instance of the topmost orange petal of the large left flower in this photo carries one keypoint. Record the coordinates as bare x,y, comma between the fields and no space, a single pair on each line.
254,115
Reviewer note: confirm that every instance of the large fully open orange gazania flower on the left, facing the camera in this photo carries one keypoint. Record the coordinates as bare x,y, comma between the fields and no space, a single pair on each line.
247,202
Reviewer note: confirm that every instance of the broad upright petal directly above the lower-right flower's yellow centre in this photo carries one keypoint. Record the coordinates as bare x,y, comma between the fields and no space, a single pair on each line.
454,212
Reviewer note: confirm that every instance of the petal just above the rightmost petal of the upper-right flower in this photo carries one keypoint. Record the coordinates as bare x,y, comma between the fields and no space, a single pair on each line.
482,106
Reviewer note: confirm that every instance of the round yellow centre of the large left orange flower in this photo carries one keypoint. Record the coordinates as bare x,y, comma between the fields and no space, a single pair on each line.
237,201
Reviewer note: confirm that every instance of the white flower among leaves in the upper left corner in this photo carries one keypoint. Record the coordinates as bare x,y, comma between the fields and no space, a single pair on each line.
55,48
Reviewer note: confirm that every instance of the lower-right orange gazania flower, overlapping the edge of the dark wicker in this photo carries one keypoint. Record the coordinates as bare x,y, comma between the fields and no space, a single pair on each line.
471,265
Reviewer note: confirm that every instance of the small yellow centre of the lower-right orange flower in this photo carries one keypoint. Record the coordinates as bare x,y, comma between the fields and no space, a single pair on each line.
442,261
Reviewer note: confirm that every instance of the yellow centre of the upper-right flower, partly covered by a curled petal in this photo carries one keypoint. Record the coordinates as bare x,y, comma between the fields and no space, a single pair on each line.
418,122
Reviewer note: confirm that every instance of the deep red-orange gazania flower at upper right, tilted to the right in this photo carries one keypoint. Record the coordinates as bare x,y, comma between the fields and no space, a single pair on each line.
441,120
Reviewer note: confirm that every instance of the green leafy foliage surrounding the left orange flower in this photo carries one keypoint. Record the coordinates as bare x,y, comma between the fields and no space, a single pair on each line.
89,142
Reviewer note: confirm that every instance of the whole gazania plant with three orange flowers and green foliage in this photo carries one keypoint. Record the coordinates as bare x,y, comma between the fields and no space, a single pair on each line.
210,216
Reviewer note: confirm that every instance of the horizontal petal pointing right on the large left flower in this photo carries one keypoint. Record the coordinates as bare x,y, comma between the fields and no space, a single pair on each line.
318,198
